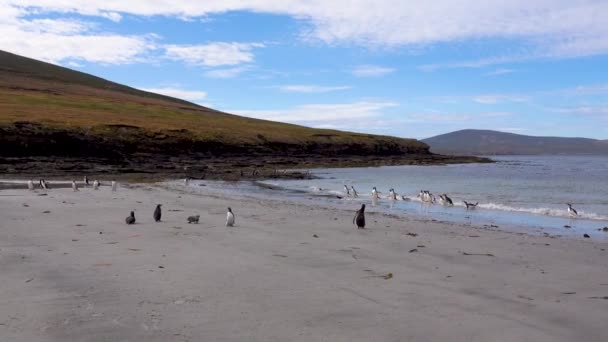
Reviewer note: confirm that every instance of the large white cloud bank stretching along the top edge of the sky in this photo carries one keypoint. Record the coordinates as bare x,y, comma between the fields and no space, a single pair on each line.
559,28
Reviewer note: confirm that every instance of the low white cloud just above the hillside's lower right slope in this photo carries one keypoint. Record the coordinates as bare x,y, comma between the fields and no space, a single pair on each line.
322,114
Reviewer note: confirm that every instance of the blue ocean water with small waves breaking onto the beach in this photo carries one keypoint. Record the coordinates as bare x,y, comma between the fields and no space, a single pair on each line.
518,193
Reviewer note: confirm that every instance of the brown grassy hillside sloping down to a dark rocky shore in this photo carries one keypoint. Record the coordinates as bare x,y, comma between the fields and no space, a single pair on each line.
47,111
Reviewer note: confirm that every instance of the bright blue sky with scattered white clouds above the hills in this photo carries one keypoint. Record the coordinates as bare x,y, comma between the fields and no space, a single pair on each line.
392,67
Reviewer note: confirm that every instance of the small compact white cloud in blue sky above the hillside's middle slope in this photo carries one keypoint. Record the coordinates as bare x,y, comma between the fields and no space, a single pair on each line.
213,54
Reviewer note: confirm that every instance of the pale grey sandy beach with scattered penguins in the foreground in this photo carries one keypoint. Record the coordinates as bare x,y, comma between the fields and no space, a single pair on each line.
72,270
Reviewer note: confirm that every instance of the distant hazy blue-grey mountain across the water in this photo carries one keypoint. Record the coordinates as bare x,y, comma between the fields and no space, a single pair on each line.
486,142
